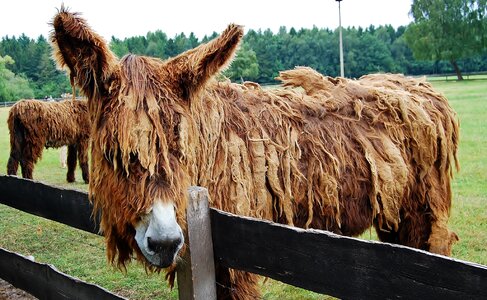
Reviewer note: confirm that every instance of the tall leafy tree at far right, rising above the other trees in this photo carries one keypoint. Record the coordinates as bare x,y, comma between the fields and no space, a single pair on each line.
448,30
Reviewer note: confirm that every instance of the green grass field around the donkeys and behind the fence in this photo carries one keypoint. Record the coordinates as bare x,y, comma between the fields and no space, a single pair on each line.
82,254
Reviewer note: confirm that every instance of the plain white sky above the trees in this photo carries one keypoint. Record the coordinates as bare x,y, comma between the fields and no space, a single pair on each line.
131,18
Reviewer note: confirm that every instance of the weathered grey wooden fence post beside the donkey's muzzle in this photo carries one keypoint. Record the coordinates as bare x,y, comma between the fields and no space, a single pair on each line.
196,271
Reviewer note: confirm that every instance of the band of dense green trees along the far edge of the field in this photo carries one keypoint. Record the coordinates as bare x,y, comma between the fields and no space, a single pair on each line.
426,46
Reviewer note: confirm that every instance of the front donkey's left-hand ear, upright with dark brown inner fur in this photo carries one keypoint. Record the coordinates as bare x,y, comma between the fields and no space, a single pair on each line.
83,52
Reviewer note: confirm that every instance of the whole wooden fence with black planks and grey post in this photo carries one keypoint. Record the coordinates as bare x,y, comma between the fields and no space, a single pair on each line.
312,259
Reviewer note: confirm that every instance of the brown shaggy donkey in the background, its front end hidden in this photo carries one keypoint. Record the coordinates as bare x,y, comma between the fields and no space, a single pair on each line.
35,124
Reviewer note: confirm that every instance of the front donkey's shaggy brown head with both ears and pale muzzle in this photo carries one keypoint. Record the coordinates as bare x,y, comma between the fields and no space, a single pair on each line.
141,125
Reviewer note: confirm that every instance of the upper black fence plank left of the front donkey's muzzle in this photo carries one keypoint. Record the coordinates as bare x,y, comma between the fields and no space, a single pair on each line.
69,207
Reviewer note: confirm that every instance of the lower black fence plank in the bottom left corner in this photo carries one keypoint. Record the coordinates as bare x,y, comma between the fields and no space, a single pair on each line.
45,282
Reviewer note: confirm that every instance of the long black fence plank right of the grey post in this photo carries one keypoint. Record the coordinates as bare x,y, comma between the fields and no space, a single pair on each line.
341,266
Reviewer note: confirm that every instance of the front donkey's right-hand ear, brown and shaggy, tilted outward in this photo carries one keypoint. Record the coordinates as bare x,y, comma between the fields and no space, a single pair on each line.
192,69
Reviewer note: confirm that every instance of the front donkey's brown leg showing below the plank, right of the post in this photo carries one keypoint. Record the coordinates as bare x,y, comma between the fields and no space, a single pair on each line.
236,285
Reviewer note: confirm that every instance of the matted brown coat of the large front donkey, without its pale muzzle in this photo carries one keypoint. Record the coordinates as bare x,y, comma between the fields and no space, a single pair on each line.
327,153
